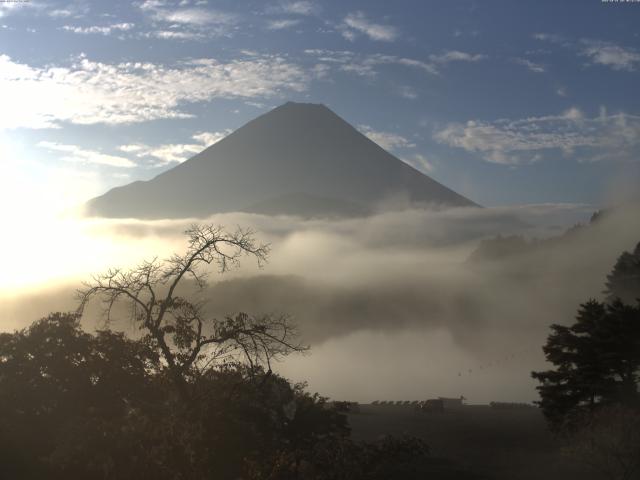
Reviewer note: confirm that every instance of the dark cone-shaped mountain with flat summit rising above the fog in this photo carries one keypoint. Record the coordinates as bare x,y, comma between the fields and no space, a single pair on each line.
296,159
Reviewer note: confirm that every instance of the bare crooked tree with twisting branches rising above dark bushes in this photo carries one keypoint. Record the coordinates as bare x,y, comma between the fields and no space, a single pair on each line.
189,341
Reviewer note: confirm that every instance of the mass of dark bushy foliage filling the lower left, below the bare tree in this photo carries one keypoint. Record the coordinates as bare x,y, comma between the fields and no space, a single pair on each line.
75,405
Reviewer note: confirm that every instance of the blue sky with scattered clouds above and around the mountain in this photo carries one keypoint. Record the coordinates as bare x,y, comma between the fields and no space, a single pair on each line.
505,102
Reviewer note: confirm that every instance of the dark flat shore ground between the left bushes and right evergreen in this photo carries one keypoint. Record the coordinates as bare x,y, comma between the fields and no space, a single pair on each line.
485,442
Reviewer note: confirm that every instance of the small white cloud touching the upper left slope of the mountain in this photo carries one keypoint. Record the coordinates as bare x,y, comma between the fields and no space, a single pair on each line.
175,152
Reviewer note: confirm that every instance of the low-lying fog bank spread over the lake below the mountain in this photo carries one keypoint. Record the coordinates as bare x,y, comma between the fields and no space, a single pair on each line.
392,306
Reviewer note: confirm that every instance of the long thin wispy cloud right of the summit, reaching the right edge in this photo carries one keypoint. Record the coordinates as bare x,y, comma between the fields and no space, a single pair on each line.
571,134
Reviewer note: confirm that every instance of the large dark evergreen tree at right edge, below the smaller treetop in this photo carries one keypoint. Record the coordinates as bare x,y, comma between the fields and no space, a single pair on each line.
596,360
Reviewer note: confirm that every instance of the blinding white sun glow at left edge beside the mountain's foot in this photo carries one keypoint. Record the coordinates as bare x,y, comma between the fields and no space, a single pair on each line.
45,238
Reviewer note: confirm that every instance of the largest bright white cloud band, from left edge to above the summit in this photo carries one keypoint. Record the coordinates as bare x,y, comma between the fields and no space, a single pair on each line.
88,92
